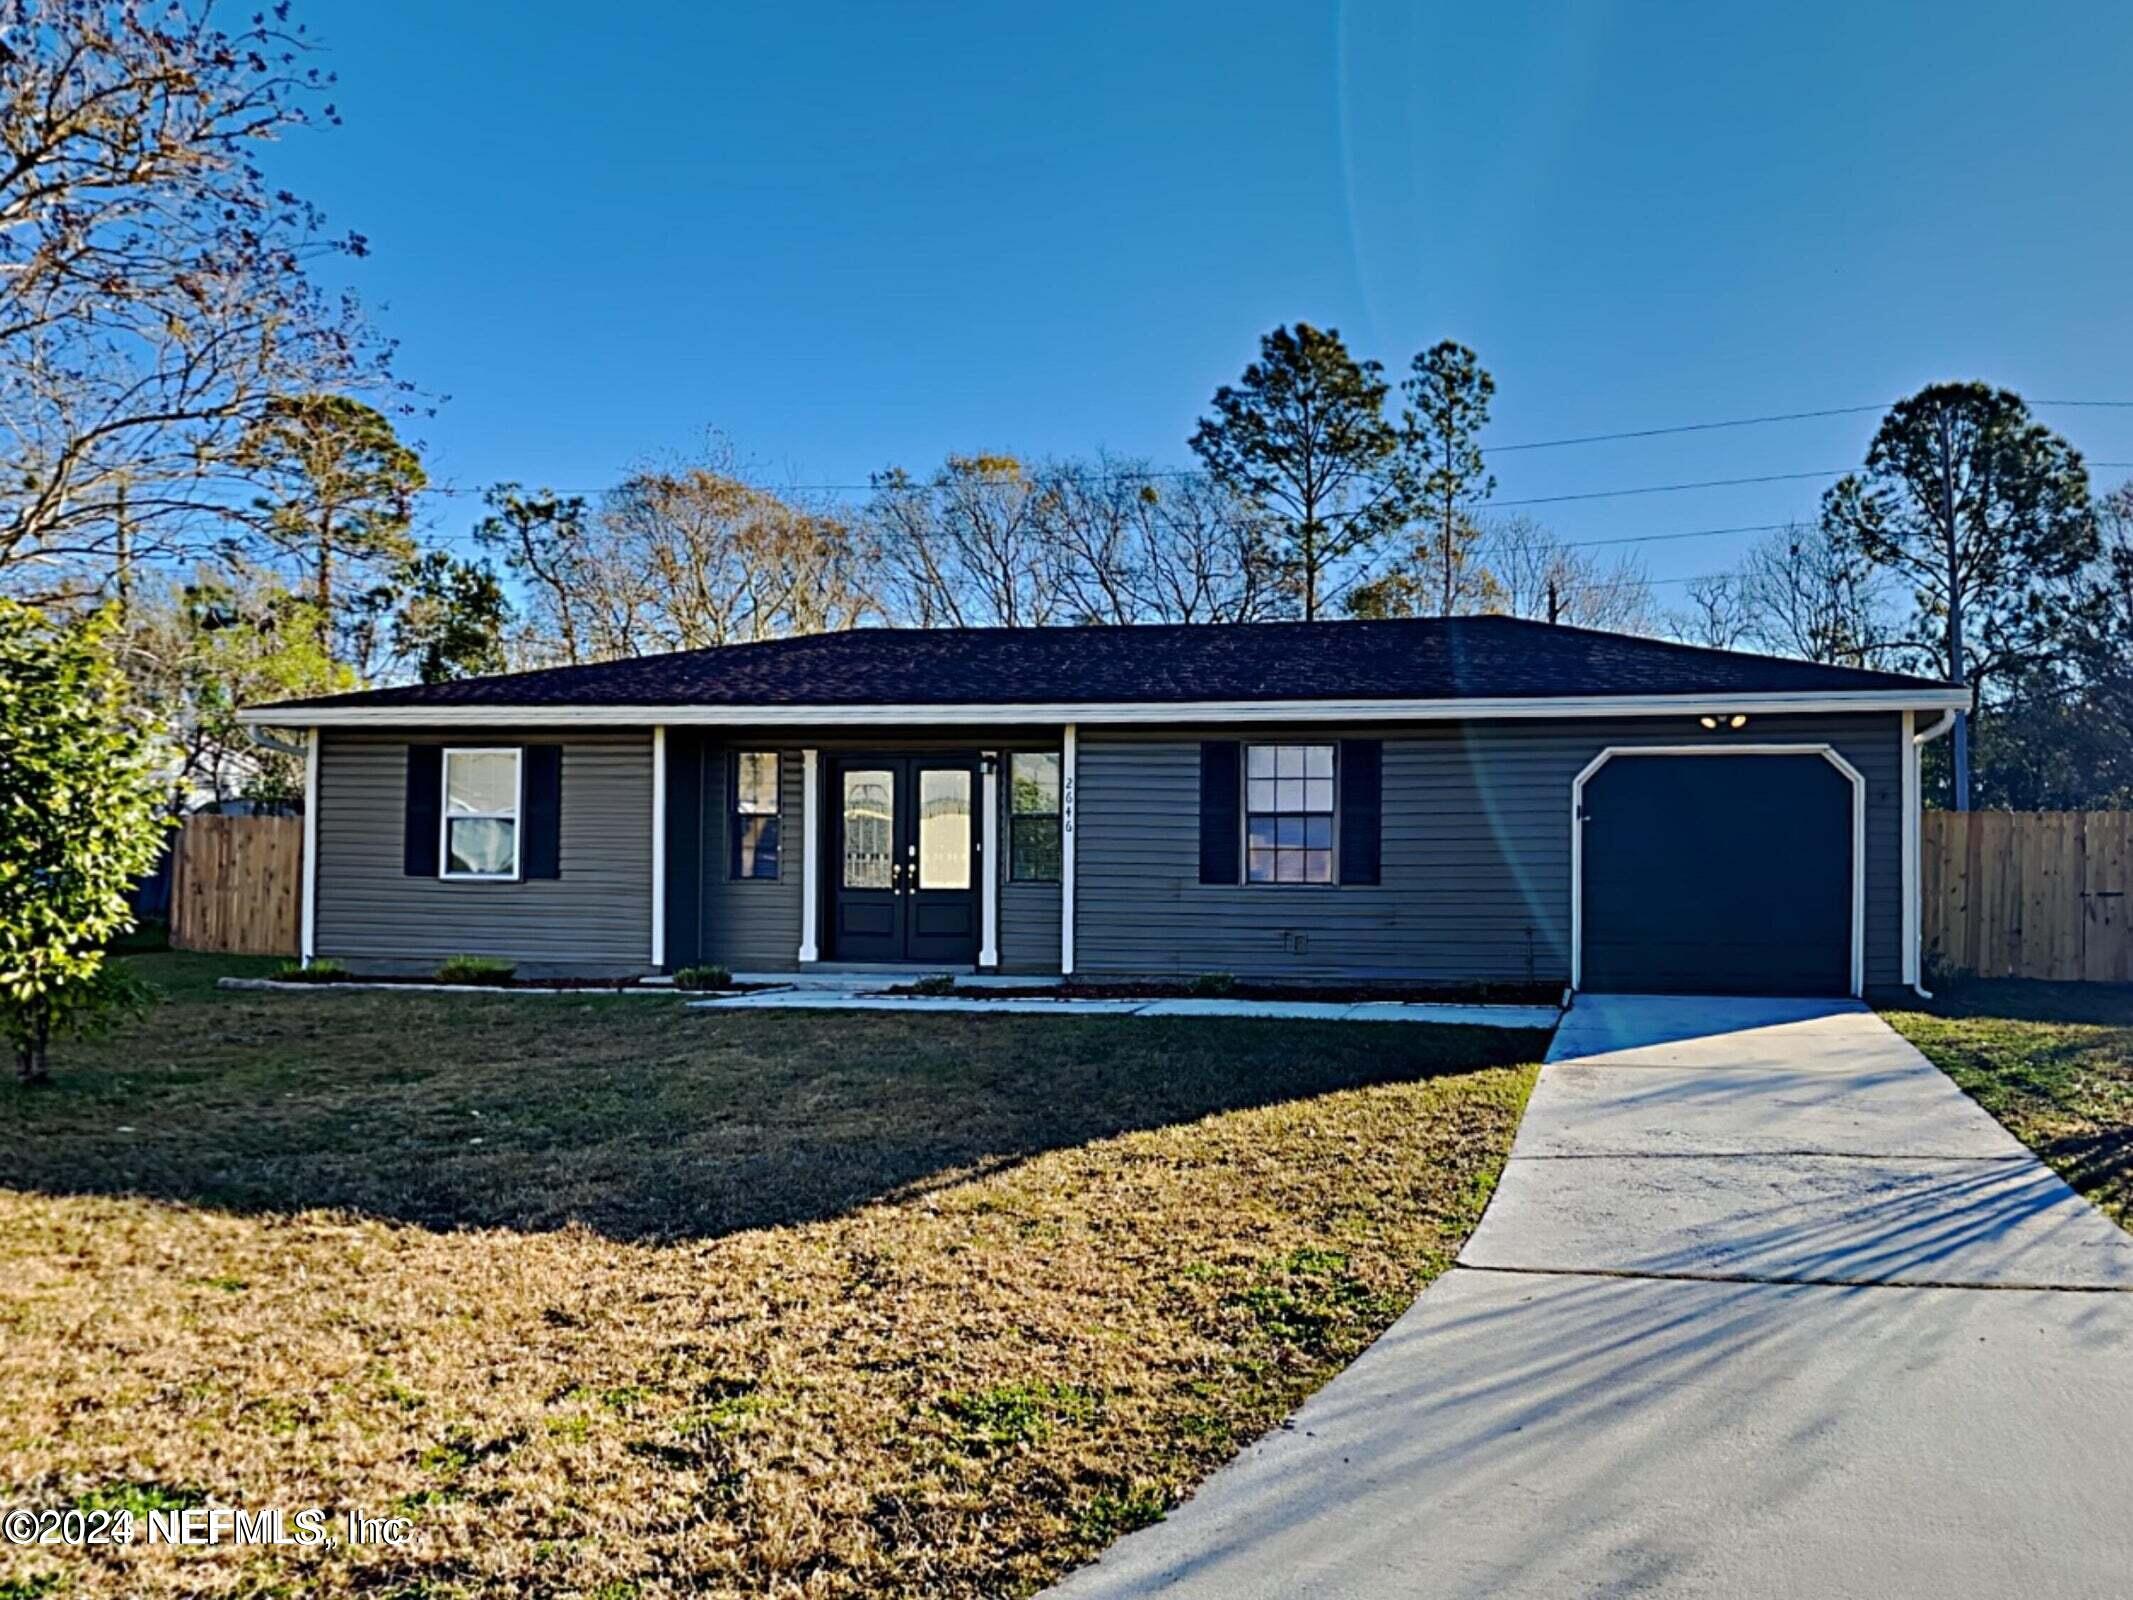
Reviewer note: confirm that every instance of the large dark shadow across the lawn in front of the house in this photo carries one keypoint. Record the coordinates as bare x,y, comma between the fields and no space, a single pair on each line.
637,1117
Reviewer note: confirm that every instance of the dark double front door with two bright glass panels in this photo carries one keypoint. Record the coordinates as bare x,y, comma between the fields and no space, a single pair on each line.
903,857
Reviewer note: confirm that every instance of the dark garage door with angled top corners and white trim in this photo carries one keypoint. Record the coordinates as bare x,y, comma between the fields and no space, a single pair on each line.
1718,876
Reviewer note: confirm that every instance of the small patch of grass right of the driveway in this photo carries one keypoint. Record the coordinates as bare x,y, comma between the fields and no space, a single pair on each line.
2055,1063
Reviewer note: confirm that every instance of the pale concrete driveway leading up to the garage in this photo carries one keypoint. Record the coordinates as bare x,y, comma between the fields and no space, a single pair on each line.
1763,1307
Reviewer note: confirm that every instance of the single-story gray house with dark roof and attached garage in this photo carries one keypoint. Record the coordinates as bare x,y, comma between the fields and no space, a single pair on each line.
1445,801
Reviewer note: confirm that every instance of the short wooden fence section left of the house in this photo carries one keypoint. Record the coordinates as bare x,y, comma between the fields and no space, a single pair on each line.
238,886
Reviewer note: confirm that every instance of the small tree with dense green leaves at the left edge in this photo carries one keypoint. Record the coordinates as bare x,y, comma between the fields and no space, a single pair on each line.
80,825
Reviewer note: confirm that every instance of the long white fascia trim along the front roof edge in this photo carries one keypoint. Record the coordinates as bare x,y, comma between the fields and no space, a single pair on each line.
1112,714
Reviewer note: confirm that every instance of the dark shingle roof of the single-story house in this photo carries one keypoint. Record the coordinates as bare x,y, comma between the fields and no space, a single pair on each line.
1466,658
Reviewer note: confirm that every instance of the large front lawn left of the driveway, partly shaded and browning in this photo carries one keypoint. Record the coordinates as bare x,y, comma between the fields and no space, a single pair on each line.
635,1300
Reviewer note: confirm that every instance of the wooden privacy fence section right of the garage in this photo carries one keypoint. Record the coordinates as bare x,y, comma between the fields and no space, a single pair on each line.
2030,893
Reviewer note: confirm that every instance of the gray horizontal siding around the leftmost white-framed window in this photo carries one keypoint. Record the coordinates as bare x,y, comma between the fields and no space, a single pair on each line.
596,916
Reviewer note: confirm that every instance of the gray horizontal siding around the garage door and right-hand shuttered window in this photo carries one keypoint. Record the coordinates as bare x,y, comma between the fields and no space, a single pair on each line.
1477,854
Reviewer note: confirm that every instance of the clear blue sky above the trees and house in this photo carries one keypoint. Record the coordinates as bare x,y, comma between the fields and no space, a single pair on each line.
876,234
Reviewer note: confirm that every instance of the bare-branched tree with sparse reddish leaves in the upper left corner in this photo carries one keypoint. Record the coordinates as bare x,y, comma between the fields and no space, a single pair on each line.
155,289
